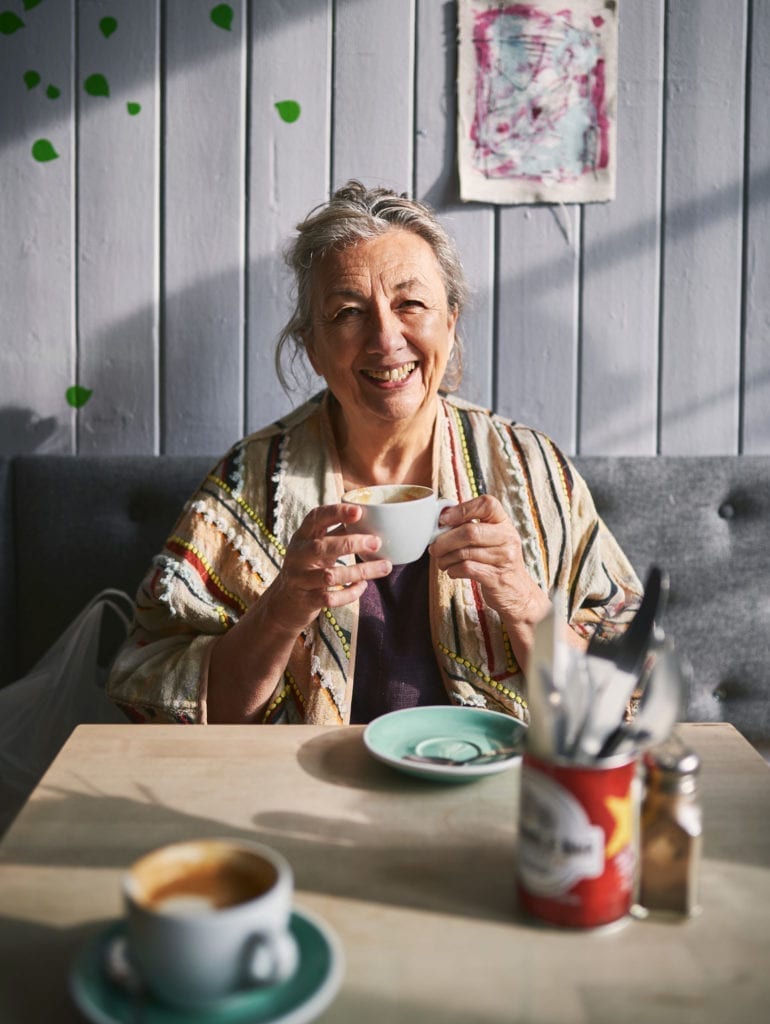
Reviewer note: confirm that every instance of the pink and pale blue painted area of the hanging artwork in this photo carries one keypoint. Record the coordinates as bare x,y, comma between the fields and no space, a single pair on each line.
540,105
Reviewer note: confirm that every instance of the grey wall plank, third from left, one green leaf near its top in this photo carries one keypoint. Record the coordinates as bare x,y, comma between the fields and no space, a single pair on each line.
204,229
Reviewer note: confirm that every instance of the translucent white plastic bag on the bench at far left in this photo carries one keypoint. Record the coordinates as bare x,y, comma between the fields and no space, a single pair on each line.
66,689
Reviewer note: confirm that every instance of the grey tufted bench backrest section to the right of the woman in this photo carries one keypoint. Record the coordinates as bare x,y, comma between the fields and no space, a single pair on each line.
706,521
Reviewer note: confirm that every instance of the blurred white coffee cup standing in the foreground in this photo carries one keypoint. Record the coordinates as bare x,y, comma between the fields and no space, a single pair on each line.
208,919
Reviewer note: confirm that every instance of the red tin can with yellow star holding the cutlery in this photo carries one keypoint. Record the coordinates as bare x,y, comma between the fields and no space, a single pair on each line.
578,841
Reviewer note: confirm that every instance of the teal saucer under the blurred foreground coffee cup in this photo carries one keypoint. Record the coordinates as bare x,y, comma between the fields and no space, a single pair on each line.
297,1001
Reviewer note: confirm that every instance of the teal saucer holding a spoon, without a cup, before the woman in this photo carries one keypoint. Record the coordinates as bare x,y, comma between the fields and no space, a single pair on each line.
445,732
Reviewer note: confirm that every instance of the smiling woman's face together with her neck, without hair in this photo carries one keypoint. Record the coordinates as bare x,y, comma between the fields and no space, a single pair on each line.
381,336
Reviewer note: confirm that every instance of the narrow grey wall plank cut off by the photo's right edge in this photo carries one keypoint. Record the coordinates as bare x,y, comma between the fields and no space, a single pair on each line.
757,367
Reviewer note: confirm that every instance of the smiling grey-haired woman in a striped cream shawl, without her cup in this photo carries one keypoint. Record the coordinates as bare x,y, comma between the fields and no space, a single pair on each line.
261,609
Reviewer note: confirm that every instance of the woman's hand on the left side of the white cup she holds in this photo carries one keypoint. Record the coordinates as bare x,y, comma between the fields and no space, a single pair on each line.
311,578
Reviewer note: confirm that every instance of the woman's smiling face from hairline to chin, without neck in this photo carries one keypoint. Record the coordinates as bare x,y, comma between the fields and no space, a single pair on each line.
382,331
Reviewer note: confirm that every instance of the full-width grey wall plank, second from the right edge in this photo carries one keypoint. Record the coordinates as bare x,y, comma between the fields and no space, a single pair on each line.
701,349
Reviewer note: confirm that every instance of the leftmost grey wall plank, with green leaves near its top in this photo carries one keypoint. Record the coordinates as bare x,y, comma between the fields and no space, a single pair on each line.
37,239
